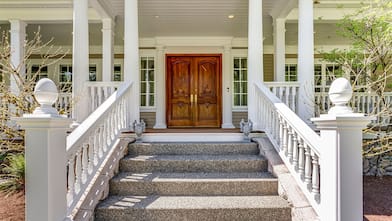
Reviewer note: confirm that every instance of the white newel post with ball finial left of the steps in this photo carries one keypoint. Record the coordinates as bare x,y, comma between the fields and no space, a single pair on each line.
45,154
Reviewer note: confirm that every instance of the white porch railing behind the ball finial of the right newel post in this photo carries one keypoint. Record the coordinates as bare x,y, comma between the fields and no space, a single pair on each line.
368,103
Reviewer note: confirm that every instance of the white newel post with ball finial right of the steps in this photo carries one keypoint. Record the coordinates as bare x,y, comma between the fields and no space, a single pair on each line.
341,157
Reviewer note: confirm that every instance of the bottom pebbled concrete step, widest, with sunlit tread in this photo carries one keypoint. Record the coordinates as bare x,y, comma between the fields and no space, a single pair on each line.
179,208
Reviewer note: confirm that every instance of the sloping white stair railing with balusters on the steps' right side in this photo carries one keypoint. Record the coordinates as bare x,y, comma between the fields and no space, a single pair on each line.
297,144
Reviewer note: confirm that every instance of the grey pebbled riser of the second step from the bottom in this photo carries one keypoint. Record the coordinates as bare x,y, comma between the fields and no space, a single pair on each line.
239,188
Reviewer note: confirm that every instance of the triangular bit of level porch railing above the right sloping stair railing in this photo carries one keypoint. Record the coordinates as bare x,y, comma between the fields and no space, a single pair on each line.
286,92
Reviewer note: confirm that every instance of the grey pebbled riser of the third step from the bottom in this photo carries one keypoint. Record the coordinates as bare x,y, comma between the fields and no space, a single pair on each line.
193,166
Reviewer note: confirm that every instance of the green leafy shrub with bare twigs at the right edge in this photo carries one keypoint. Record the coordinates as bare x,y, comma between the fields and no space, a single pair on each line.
369,64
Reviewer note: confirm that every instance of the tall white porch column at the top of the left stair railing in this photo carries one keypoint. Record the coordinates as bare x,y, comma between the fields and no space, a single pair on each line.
131,54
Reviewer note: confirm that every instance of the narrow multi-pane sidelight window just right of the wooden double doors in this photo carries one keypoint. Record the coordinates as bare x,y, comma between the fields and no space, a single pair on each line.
240,82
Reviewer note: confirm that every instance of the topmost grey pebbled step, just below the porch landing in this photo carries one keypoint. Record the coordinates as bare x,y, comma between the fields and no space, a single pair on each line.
193,148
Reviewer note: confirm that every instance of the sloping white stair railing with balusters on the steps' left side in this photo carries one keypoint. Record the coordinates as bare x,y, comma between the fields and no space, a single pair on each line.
89,145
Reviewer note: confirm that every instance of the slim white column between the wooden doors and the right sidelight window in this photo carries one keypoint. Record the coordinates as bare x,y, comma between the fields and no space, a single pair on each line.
227,92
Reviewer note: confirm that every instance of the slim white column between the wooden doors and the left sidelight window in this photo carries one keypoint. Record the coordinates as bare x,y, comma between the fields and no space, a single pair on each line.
160,94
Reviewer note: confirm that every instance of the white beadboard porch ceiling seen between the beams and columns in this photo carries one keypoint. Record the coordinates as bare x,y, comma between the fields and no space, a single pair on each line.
180,18
